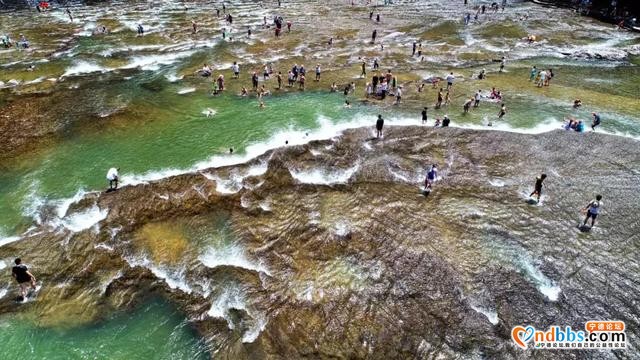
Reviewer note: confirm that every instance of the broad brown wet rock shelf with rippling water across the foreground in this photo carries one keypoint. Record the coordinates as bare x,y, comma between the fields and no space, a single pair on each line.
330,250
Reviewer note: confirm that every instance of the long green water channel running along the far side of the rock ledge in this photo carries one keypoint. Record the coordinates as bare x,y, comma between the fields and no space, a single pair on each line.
165,130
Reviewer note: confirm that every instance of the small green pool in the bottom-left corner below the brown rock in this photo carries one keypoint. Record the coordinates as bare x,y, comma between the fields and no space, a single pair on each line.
154,330
